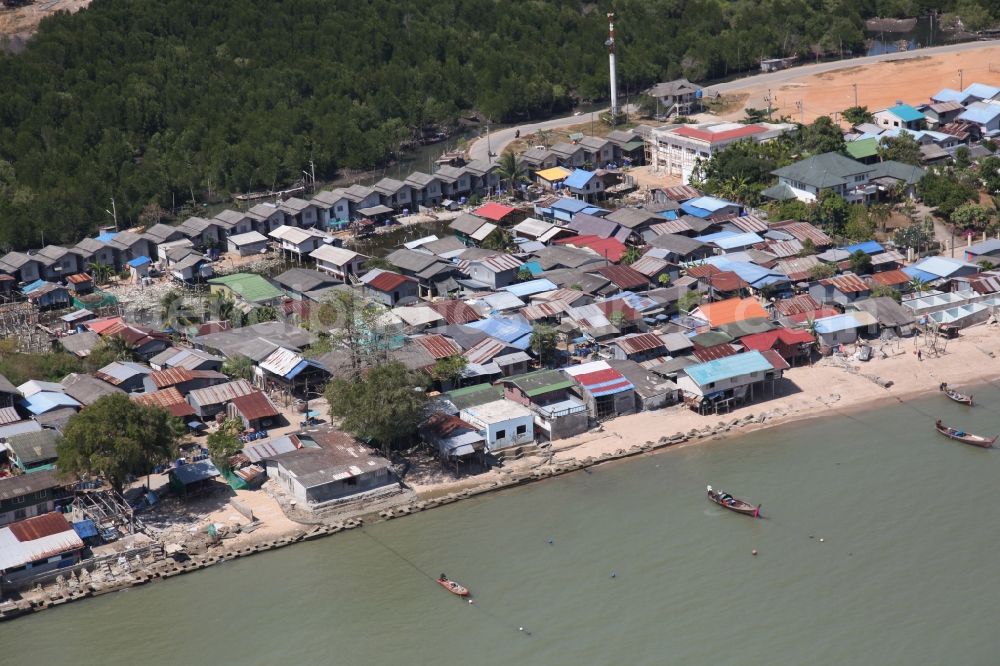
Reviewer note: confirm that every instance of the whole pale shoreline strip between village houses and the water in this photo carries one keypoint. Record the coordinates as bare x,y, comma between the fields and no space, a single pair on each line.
830,387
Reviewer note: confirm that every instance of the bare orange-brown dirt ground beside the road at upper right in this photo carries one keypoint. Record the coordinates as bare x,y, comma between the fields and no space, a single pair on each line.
911,77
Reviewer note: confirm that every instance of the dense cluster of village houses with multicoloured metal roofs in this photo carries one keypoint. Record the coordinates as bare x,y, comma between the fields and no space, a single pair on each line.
570,300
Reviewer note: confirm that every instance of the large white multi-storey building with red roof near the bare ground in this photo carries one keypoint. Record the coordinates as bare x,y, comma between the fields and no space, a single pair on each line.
677,151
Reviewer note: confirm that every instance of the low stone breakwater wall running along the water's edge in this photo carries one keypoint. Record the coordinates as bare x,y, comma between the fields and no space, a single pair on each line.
163,567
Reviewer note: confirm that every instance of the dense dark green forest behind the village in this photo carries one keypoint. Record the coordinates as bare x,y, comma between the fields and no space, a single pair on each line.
159,102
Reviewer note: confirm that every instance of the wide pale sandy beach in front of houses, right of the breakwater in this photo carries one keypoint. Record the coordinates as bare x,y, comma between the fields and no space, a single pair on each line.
827,387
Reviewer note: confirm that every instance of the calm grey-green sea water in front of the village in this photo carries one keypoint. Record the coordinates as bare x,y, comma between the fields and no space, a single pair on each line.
906,572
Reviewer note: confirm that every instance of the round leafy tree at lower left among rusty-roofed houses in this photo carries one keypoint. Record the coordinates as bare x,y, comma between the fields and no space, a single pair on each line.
117,437
